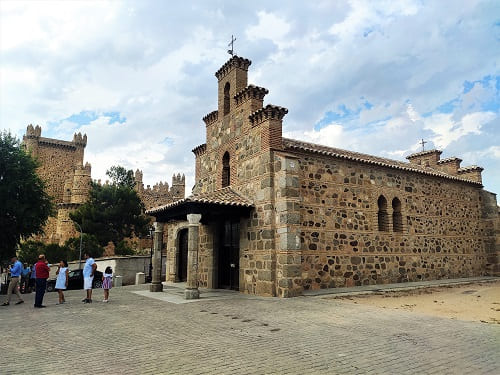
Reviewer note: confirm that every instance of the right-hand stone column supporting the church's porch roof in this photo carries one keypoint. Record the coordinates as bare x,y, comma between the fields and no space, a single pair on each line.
192,291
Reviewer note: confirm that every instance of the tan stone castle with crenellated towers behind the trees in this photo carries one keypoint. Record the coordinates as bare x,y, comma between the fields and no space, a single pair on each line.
68,180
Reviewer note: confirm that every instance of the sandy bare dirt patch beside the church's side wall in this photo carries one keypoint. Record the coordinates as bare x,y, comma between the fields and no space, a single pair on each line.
474,302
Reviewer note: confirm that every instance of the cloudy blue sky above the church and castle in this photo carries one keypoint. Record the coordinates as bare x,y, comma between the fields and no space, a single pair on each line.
369,76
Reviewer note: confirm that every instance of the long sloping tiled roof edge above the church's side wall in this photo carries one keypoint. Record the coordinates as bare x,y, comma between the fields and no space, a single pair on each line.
294,145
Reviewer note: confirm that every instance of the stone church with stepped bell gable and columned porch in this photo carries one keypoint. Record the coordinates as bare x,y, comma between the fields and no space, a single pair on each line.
273,216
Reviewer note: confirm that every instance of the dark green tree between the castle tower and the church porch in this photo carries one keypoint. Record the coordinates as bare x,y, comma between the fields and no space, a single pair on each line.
113,212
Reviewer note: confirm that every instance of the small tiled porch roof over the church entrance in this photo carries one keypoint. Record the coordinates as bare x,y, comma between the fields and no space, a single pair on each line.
225,197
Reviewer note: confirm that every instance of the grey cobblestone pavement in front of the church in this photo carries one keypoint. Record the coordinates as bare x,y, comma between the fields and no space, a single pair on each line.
135,334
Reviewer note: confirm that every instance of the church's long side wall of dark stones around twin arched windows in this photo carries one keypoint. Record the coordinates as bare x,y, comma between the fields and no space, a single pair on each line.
442,234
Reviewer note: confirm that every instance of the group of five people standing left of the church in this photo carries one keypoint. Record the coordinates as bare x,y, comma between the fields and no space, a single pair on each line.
40,273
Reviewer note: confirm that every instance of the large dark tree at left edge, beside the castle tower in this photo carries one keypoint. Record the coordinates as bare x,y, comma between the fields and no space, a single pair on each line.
25,204
